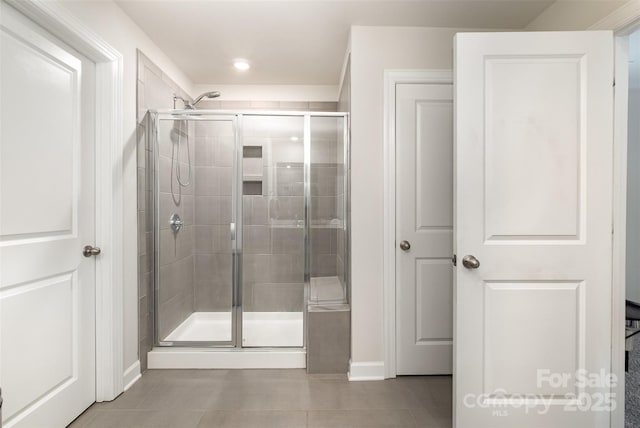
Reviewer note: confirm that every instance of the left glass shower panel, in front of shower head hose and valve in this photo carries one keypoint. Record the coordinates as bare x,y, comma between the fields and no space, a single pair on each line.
195,166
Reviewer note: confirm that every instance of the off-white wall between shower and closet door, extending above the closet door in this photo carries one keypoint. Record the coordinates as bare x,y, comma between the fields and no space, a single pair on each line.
374,49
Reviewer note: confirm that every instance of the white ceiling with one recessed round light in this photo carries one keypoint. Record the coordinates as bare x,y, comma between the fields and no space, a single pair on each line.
297,42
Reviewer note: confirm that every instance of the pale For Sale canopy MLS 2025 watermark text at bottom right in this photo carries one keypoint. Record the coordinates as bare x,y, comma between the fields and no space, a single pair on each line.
592,397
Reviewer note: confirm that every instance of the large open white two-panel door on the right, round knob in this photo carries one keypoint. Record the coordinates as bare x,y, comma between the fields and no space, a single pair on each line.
534,143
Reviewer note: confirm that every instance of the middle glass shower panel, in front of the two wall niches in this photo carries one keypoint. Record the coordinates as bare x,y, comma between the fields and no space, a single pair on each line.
273,266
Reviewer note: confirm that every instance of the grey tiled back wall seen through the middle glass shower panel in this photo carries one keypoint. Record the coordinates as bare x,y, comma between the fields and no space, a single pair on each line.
273,260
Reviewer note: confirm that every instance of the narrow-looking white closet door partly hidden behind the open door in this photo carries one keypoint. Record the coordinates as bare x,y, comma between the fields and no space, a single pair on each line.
424,221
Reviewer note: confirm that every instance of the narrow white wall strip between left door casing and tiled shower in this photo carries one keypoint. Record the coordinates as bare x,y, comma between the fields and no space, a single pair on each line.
107,20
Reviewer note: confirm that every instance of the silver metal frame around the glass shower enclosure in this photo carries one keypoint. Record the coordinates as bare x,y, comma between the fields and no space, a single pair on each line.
236,117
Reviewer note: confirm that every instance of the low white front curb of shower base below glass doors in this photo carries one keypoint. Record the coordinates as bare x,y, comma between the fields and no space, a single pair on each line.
198,358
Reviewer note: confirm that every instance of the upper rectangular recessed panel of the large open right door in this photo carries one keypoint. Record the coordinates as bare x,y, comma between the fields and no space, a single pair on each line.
529,146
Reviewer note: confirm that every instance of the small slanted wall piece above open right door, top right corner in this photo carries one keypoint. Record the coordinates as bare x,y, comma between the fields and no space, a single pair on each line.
573,15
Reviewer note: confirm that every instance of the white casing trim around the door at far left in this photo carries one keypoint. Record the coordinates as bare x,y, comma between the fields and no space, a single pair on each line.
109,187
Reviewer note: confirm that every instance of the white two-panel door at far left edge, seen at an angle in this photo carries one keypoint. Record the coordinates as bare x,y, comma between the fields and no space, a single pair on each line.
47,212
